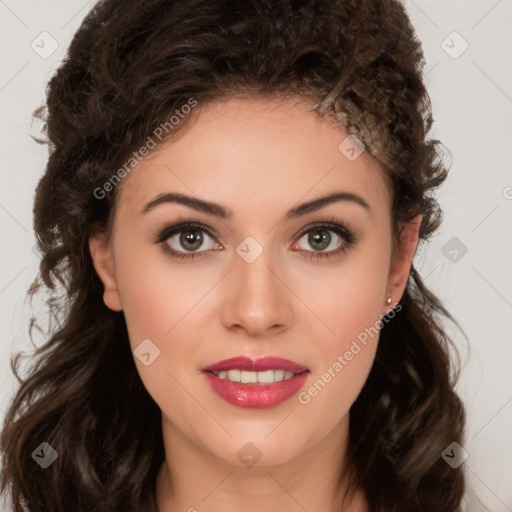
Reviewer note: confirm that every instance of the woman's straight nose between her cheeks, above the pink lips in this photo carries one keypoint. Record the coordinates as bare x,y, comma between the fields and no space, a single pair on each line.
257,299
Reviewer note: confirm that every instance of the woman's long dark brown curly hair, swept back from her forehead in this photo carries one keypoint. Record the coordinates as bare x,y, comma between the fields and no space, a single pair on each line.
129,66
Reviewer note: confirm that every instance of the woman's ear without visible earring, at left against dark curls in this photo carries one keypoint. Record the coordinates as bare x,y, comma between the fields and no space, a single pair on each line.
103,261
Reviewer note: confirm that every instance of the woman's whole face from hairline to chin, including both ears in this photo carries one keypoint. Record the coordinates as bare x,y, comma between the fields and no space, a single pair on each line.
270,278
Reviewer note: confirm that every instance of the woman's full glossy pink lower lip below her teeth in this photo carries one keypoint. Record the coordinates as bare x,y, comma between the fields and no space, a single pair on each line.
256,396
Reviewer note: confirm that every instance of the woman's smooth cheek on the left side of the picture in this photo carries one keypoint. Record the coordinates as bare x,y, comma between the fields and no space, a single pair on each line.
158,305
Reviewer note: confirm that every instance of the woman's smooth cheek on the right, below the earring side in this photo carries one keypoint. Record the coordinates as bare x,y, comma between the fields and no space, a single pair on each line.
350,306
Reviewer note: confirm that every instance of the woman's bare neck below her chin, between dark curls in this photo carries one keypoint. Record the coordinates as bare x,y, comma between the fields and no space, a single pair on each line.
192,480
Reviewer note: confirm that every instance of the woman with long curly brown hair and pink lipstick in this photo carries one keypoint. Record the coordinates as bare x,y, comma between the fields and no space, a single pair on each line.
233,199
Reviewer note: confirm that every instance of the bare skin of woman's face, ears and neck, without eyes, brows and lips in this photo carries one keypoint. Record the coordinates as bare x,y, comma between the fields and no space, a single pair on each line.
259,158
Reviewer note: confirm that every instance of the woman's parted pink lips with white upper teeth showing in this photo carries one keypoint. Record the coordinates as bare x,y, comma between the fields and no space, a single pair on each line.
255,394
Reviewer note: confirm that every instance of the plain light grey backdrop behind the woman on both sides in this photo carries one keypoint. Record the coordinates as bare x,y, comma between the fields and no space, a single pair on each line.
468,48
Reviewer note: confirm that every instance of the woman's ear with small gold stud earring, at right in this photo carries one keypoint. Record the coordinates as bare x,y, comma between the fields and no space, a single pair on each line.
402,260
